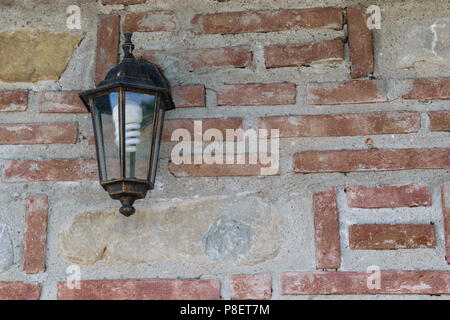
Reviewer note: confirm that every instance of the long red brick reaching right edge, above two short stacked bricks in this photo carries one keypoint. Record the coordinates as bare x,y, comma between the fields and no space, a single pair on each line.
371,160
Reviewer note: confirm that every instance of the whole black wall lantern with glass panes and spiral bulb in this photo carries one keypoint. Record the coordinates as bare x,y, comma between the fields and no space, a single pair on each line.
127,111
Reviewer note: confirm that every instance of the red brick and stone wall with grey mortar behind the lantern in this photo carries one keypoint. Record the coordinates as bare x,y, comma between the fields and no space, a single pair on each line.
363,183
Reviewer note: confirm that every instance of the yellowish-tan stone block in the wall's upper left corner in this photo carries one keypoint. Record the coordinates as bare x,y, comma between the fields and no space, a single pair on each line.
33,56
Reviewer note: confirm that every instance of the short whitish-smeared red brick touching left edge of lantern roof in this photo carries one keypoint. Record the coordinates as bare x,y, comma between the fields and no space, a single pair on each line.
60,102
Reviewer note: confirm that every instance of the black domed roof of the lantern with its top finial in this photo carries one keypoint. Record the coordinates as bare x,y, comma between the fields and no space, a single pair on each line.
134,73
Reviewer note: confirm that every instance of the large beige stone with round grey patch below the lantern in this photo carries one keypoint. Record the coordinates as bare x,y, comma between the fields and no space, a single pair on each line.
241,230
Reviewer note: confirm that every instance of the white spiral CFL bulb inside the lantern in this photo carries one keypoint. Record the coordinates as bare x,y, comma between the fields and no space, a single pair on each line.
133,120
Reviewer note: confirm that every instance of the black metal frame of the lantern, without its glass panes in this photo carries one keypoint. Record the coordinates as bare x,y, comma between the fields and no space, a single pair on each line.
131,75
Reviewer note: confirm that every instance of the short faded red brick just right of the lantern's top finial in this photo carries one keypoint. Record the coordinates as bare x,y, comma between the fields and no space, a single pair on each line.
231,57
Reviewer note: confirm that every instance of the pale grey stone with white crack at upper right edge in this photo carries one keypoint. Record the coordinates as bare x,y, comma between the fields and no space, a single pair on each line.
426,43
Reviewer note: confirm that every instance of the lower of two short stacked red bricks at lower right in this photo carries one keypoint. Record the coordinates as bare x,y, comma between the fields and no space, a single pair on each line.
391,236
